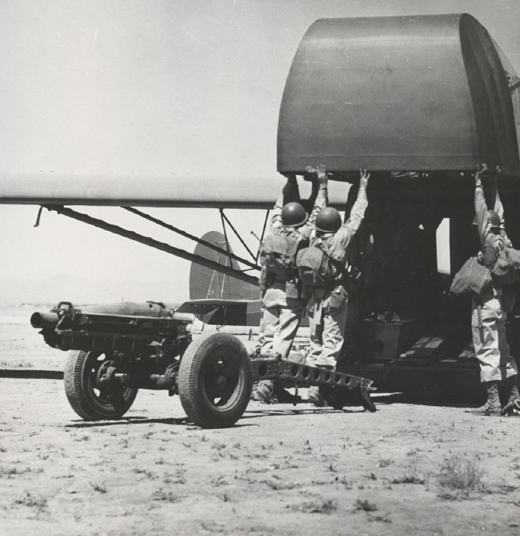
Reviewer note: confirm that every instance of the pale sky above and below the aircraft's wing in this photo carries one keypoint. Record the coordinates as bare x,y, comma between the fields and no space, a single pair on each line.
156,86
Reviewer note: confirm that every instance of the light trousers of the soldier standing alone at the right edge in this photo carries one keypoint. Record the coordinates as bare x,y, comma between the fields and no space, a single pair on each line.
489,341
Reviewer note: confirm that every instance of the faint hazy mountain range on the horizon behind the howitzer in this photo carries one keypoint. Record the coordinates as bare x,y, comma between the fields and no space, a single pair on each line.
14,291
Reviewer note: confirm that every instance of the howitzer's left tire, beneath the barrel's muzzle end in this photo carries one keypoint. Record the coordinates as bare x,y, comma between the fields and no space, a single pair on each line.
85,397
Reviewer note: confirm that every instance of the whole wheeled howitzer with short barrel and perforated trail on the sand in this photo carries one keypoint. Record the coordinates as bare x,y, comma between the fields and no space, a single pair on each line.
120,348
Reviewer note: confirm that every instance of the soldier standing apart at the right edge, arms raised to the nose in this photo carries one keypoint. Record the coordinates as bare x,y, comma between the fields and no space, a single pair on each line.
489,311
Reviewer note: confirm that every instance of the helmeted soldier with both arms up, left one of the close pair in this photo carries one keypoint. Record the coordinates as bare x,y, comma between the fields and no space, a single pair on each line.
280,288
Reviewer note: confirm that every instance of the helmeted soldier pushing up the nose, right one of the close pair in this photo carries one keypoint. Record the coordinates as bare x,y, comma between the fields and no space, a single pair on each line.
328,305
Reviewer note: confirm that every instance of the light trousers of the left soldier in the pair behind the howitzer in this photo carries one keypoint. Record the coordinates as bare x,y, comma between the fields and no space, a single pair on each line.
281,317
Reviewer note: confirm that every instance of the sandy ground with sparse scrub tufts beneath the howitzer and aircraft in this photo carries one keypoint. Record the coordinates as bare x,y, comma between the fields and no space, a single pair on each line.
281,470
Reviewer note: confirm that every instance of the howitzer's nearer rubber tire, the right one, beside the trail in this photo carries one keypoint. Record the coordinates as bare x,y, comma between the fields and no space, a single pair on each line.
215,380
